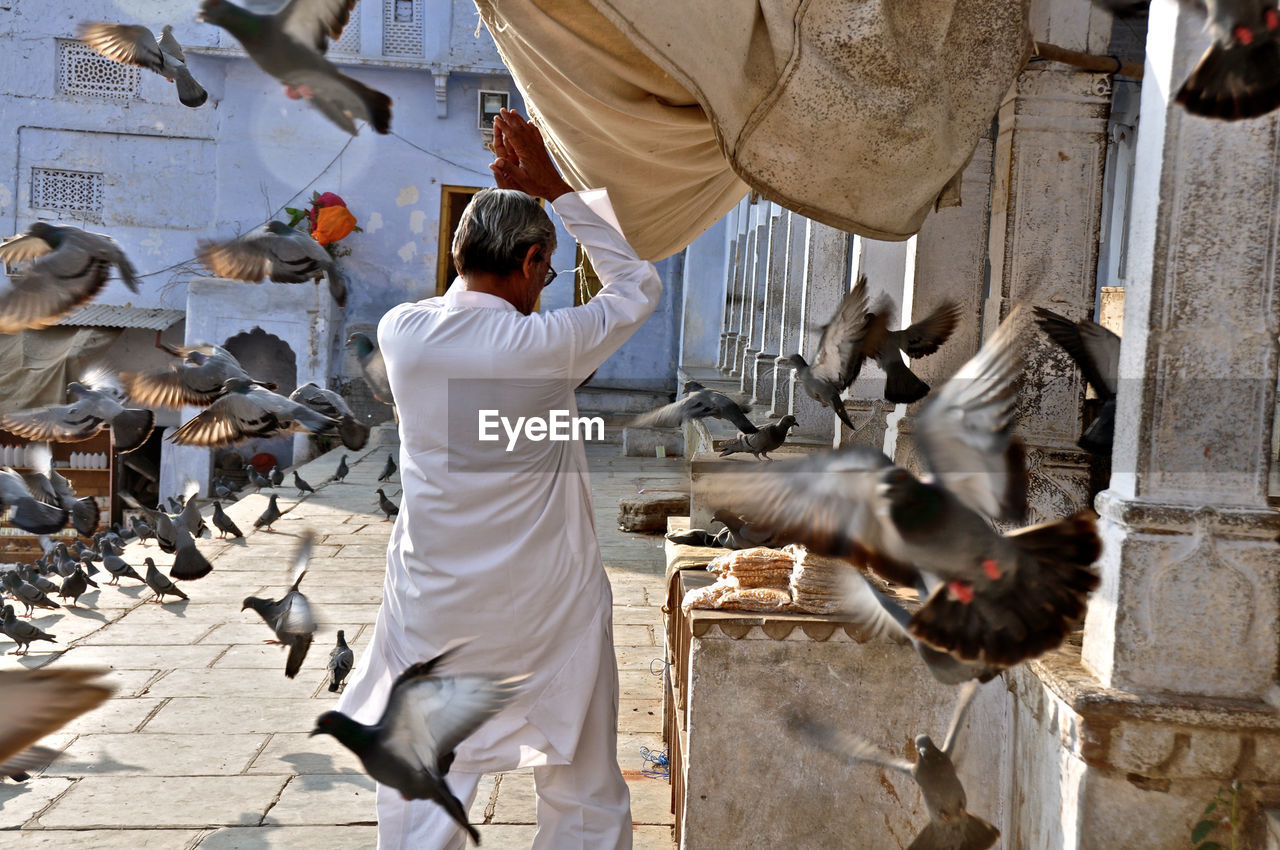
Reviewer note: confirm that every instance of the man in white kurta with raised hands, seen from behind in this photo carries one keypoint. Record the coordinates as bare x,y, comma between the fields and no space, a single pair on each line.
499,545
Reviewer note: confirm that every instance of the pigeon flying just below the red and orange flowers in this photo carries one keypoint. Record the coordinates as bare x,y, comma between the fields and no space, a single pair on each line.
273,252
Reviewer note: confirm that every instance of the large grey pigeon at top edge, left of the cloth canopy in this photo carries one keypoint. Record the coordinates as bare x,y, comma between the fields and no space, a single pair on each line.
290,45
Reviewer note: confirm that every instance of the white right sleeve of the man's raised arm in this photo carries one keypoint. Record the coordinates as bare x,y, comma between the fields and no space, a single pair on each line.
632,286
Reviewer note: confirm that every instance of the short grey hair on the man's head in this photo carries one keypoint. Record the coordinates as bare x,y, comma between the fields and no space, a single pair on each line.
497,230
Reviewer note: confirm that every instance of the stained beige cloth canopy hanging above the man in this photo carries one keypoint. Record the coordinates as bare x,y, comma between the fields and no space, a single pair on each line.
856,113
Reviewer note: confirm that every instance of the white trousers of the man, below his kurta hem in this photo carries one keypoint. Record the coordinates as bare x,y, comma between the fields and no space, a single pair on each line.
583,806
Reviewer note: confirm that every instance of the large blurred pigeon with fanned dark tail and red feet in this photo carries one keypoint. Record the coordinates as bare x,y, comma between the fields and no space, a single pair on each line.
996,600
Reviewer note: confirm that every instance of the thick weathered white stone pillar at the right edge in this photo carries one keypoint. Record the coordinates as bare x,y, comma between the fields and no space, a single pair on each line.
1191,591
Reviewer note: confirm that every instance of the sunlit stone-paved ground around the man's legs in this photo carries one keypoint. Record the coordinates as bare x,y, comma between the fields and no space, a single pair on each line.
205,743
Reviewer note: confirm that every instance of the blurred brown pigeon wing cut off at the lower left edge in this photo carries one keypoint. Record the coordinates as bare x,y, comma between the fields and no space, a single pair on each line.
35,703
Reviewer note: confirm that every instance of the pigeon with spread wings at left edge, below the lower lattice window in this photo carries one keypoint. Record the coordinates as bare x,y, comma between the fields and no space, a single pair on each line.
67,268
